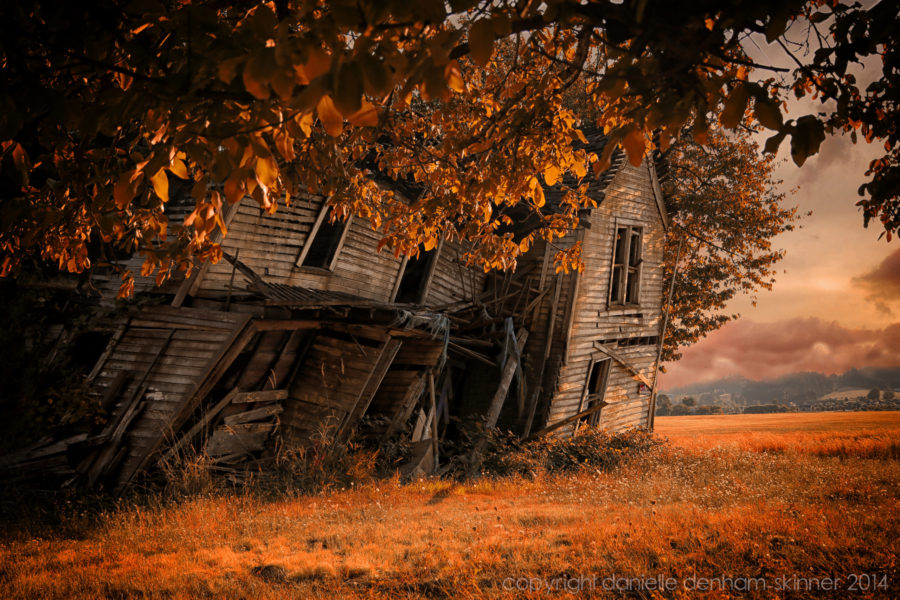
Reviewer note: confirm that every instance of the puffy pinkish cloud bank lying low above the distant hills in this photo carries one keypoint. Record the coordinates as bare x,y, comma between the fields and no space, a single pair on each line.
768,350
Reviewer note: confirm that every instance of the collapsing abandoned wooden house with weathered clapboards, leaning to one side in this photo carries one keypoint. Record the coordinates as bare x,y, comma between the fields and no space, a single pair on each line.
307,329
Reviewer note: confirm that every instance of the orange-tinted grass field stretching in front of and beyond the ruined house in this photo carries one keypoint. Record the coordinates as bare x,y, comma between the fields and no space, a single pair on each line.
707,515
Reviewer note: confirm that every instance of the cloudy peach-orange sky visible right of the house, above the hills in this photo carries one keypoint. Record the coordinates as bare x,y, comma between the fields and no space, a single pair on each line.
836,301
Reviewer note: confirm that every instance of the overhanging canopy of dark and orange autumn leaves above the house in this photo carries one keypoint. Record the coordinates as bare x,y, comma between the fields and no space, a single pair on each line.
108,104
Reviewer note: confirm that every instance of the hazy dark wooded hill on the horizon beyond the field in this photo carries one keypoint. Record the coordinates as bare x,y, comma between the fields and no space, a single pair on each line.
796,387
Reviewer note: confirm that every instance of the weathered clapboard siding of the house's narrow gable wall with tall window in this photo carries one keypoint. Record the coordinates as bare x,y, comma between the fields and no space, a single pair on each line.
629,196
